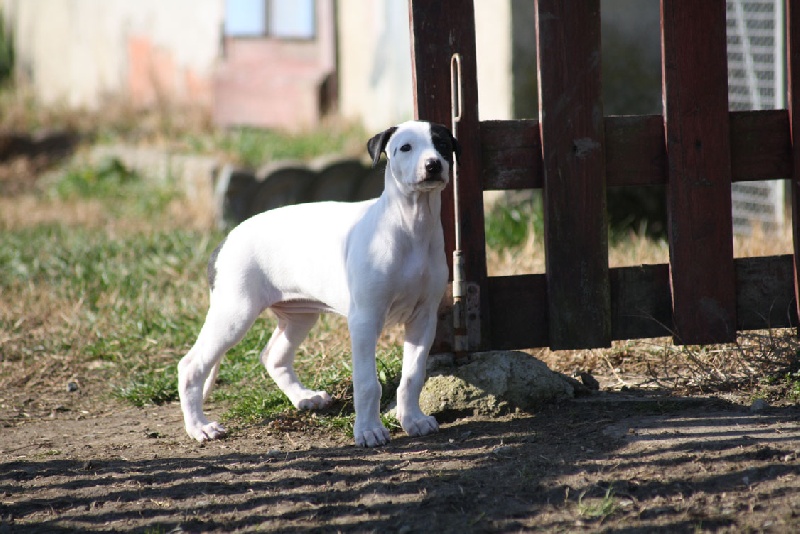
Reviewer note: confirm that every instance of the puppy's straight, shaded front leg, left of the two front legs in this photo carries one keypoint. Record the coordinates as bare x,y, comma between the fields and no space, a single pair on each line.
364,331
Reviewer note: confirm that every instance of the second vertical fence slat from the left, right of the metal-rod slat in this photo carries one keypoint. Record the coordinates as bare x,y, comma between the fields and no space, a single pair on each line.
572,134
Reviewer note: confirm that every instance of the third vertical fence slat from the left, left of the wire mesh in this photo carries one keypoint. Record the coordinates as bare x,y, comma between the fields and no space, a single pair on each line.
695,87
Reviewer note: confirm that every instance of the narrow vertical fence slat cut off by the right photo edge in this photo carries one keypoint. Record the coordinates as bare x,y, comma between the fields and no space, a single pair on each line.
793,105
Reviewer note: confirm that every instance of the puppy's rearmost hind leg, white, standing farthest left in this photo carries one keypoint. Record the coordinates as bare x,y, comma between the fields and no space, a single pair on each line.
222,329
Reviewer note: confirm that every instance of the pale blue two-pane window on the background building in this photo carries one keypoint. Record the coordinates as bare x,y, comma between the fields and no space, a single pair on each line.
283,19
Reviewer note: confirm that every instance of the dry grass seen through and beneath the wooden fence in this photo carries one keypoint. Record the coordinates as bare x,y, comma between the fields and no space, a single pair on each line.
759,364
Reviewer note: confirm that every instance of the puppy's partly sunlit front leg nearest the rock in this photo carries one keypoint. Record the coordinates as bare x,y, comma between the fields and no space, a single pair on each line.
419,338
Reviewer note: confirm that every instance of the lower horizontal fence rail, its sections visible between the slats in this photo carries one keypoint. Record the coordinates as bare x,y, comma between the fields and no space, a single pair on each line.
641,302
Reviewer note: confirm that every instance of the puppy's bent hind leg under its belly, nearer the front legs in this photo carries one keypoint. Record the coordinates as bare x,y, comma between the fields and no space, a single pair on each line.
278,358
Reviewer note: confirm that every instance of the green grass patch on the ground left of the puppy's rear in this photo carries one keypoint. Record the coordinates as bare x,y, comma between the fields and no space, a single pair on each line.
135,301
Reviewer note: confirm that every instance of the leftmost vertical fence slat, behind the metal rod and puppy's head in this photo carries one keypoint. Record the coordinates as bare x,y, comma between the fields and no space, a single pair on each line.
438,30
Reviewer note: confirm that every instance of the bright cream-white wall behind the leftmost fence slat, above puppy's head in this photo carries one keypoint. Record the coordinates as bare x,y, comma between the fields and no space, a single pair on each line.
375,61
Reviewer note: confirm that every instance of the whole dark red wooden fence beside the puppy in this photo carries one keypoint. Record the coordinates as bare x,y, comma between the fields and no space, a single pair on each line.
697,148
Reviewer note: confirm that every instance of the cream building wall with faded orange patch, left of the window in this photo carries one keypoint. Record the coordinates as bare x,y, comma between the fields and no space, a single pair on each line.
77,52
